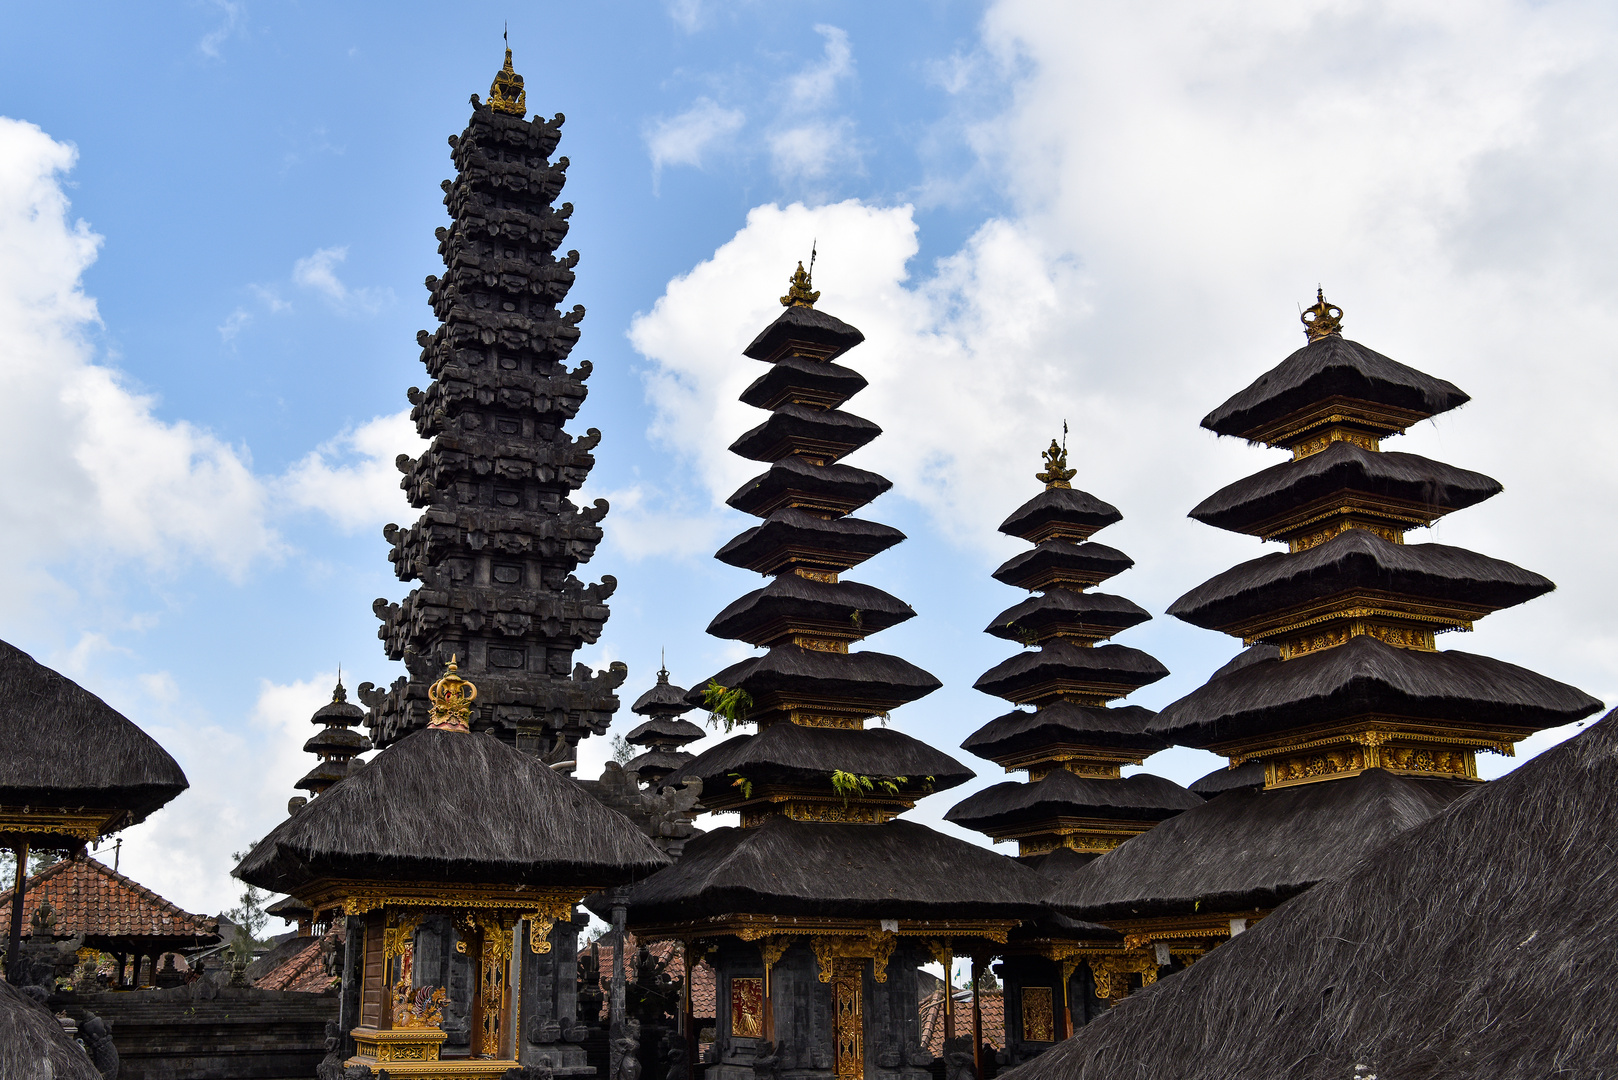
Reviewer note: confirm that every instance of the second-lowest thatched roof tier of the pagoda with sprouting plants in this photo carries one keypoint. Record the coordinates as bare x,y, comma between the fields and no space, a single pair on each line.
790,754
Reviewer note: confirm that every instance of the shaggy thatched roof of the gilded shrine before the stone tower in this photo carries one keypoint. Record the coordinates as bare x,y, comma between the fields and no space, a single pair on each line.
459,809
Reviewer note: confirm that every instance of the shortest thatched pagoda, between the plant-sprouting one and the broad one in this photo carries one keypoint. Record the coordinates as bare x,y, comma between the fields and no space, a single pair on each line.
1072,746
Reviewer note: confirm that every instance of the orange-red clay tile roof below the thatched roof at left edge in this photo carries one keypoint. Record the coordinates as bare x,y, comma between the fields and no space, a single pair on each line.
96,901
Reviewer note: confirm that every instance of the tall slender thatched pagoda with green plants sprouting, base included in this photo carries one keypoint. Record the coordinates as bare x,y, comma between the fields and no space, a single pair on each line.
820,909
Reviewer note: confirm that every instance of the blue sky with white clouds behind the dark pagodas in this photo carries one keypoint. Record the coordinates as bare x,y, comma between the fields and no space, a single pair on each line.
1036,213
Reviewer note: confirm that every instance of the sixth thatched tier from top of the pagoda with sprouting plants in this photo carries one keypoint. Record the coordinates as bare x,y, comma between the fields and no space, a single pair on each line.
800,605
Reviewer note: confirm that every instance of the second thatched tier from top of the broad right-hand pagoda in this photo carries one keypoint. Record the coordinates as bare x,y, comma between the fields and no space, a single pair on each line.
1415,482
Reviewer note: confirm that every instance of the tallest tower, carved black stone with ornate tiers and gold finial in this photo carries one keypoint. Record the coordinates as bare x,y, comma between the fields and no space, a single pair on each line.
499,538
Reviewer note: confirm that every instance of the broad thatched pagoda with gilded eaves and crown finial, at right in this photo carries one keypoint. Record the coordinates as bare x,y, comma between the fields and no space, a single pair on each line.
1344,723
